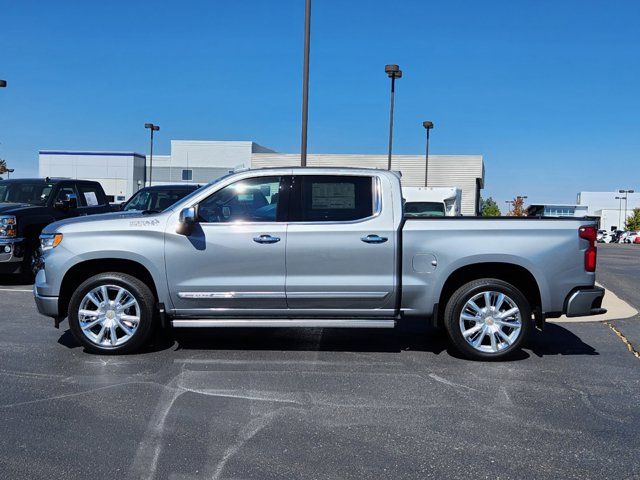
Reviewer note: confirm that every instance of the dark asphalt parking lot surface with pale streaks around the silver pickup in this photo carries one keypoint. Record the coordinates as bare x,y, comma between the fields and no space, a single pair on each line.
322,404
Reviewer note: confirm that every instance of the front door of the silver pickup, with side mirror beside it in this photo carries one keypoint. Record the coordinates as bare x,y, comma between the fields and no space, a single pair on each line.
233,262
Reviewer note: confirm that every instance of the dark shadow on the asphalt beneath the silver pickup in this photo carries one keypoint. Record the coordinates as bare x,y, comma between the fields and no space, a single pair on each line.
554,340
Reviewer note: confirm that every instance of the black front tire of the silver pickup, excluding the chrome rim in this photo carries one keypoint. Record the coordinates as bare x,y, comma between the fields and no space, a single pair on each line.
143,295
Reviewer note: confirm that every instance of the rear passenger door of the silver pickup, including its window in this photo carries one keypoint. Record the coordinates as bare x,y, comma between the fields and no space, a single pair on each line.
341,246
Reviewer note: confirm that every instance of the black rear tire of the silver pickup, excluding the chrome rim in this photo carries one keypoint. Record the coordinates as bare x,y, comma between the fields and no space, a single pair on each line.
460,298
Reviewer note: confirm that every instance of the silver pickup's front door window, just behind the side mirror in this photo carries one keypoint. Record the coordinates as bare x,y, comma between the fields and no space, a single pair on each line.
250,200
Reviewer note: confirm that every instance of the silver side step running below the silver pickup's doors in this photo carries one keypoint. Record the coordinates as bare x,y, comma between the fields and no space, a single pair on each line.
285,322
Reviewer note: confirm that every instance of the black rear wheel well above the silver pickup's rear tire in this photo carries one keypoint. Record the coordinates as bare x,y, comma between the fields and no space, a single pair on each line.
518,276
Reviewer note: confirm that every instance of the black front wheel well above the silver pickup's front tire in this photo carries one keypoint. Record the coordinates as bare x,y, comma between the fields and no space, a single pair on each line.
84,270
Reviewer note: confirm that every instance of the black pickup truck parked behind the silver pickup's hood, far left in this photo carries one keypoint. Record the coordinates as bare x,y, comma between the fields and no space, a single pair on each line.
27,205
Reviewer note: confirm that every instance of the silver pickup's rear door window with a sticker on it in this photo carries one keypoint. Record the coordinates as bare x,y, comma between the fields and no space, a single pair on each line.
330,198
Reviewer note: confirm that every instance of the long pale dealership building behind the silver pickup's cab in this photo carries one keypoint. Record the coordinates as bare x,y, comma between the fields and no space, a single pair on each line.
123,173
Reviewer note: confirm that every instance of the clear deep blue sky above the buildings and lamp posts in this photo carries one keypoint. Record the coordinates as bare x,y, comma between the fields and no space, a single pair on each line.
547,91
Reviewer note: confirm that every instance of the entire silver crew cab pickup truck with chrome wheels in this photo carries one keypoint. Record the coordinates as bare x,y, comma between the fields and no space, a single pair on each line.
313,247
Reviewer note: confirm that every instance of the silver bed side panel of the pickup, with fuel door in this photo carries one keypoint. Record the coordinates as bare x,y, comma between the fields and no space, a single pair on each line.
433,249
